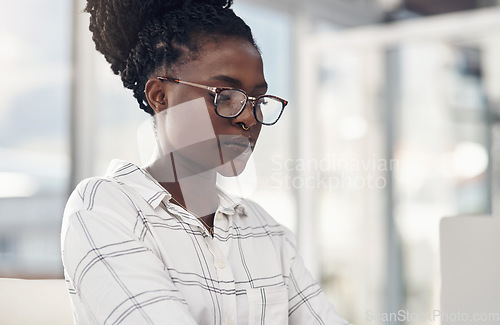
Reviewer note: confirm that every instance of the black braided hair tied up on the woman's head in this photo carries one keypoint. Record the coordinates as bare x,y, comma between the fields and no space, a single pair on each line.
138,37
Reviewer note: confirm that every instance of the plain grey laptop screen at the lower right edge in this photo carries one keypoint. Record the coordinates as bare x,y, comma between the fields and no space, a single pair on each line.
470,270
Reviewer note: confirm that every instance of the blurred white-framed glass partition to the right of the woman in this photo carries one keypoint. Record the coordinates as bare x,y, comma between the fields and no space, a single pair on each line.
402,121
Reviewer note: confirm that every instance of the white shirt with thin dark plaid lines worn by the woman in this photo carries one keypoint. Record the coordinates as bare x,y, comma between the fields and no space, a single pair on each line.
132,257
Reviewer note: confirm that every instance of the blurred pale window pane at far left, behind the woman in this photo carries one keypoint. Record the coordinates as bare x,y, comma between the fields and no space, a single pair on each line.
34,164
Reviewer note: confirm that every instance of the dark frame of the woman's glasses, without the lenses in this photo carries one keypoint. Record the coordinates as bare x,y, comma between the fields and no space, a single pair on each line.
217,90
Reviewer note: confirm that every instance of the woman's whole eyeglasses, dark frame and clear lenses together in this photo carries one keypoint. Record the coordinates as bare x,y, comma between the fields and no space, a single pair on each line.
230,102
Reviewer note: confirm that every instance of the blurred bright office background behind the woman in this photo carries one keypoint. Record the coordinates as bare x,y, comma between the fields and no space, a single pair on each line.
387,131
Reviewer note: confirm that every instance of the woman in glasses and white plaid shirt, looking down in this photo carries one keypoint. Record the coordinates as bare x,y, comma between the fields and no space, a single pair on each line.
163,244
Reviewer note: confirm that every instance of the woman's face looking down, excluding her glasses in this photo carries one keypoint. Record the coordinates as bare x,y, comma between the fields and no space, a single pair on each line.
198,139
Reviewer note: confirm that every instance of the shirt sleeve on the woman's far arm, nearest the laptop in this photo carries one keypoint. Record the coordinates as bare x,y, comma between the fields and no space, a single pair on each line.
307,302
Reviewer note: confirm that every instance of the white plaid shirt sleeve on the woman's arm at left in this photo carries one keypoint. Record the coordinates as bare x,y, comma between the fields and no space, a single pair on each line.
112,274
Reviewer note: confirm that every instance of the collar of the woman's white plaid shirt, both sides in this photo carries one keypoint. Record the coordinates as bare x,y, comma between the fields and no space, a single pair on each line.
148,188
